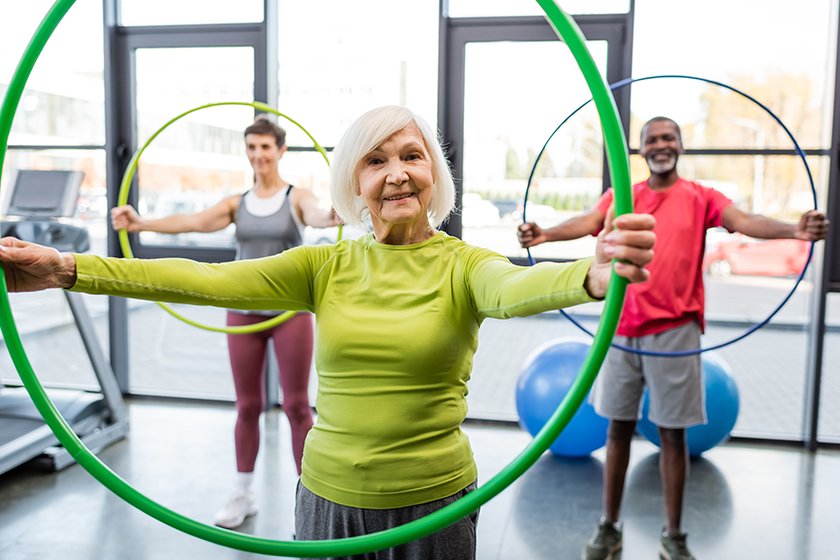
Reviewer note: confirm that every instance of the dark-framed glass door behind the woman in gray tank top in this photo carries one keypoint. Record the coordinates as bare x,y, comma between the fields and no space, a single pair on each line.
159,72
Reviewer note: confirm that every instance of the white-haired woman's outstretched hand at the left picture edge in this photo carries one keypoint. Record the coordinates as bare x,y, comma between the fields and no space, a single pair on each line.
29,267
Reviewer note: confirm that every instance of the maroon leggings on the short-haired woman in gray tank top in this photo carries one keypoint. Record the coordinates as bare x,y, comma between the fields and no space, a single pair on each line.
293,349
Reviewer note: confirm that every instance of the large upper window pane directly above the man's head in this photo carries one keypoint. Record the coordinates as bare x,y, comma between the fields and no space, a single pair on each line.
784,62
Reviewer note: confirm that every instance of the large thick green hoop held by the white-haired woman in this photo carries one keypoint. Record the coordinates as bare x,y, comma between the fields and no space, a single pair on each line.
617,158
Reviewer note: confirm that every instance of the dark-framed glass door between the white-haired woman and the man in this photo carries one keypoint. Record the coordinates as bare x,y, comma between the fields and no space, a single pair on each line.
507,83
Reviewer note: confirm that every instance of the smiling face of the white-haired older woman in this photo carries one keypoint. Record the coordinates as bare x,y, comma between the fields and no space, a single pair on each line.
396,182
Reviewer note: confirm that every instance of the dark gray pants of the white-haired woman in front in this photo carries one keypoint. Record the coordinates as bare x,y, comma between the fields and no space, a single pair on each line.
319,519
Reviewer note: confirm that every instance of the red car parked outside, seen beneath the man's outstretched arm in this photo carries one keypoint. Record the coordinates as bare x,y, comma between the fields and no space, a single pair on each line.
740,254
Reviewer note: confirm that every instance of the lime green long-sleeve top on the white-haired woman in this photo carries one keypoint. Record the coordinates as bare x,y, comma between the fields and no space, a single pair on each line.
396,331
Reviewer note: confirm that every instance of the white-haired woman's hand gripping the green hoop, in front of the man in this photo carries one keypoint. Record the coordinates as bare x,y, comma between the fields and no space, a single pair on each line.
628,238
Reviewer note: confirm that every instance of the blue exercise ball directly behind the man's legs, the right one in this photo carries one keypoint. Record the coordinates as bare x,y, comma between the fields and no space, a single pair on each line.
722,404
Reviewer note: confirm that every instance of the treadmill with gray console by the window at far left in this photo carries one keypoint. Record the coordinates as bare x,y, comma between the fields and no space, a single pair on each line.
35,202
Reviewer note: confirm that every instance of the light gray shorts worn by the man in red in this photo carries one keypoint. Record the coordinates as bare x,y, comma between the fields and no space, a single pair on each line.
677,392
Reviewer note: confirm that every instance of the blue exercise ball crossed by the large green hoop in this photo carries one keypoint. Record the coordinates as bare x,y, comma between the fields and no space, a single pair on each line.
546,377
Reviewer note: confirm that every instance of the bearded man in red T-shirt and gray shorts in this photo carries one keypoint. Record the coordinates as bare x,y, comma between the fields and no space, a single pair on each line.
663,315
